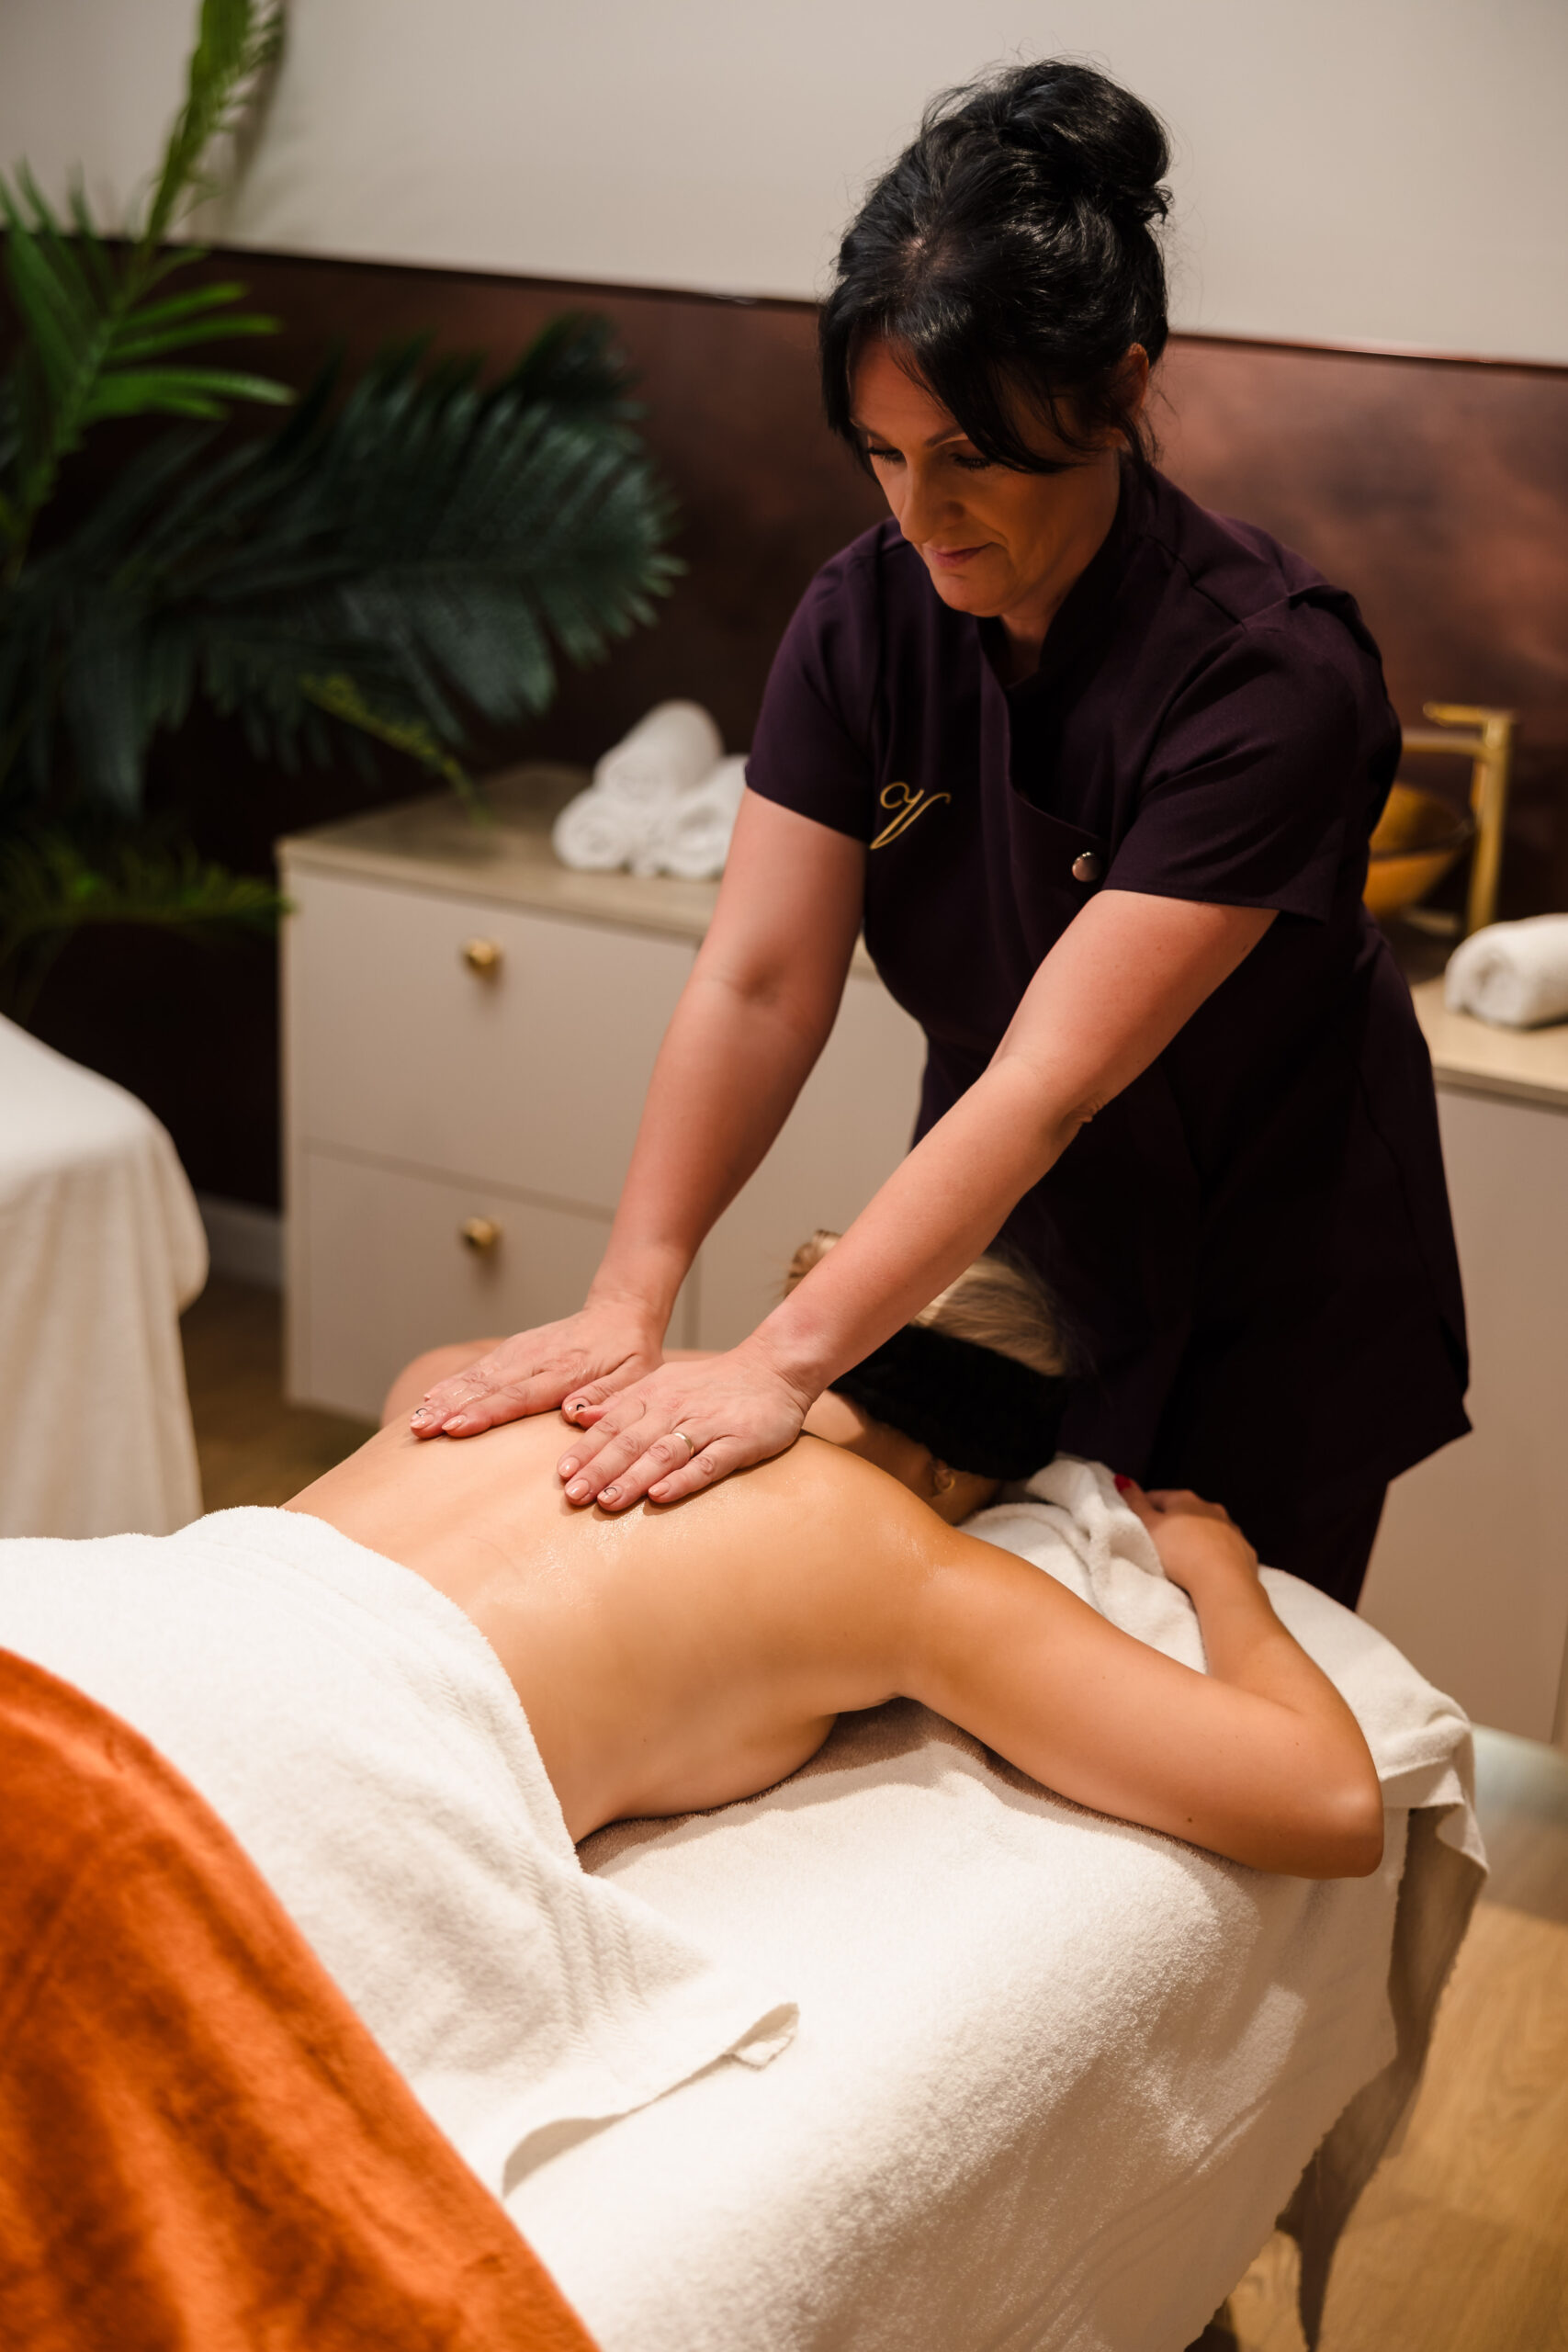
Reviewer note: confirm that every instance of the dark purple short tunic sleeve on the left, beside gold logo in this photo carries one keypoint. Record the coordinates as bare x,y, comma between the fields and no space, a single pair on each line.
812,749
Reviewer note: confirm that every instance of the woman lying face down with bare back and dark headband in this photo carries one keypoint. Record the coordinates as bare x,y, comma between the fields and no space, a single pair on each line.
685,1657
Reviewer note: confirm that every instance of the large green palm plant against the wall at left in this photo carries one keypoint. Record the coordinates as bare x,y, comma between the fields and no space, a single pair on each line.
382,566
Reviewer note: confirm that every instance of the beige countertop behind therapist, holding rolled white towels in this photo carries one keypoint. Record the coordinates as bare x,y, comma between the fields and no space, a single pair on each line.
438,846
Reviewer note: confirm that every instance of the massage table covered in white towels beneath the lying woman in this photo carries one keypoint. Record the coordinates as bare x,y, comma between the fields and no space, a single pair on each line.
904,2054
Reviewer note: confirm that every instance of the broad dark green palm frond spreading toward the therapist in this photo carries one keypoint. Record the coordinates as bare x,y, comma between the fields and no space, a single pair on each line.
427,552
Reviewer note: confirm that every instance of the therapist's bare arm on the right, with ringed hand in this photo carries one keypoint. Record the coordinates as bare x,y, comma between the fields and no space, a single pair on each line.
1111,996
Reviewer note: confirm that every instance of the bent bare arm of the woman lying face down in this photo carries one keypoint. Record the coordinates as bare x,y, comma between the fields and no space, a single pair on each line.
1259,1758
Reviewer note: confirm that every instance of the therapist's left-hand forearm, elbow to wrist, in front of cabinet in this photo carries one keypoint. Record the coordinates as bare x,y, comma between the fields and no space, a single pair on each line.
725,1081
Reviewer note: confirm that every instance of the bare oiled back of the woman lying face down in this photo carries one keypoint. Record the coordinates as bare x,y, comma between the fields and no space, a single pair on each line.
666,1659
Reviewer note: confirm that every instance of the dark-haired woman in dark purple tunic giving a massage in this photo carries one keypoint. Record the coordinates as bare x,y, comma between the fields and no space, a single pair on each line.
1097,775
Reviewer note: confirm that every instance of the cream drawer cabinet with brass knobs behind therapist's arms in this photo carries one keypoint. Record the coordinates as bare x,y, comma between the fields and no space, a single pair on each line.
469,1036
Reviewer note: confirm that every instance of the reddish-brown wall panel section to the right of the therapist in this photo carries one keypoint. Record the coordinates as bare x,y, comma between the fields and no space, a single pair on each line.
1438,490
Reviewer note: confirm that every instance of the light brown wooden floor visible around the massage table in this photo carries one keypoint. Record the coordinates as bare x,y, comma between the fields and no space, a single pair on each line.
1461,2243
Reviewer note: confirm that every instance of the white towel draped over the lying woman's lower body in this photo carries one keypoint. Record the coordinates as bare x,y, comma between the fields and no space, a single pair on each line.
366,1746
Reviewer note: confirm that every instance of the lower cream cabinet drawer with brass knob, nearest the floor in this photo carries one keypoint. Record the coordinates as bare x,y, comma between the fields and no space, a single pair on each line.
380,1271
